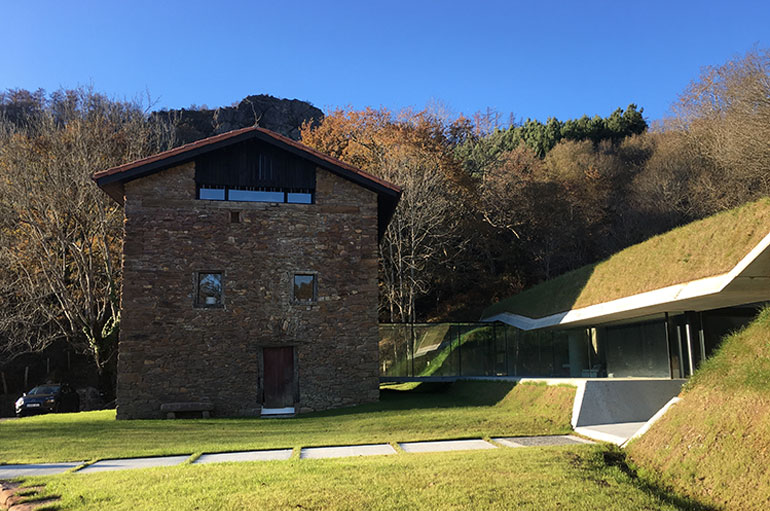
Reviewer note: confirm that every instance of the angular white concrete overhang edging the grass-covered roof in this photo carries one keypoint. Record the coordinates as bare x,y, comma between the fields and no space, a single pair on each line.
747,282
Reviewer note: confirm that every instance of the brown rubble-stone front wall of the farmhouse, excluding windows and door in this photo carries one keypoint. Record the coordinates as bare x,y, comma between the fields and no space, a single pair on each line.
171,351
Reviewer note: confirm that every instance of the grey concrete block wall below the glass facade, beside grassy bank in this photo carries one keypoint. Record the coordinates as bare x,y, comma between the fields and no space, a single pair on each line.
609,401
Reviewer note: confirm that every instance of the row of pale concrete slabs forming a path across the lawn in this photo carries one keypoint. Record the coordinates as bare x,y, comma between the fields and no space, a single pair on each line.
343,451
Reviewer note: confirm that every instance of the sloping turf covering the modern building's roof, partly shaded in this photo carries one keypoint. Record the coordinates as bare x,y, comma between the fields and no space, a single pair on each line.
704,248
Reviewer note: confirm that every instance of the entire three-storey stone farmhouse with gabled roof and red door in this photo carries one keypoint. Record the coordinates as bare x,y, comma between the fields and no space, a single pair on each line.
249,278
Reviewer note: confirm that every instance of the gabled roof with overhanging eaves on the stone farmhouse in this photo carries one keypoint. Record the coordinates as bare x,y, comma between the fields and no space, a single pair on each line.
111,180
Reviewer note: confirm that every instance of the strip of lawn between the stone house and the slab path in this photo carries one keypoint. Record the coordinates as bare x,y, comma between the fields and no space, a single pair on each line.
427,411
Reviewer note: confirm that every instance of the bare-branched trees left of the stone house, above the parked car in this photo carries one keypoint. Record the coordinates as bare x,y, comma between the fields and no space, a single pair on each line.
60,235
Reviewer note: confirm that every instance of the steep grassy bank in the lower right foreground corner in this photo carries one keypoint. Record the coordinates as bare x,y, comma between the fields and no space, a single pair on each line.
714,445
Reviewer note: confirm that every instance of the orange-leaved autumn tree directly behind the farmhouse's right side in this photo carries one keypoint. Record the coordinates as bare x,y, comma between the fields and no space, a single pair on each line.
412,150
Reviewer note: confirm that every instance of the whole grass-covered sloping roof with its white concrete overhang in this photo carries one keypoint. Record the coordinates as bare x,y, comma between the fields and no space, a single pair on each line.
720,261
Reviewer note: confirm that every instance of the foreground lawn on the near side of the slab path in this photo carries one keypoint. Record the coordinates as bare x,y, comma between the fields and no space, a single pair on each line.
554,478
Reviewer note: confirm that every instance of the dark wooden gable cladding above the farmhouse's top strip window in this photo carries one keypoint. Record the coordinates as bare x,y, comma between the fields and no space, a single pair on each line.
255,164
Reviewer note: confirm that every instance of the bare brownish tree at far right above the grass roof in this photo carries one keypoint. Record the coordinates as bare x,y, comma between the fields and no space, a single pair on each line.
724,116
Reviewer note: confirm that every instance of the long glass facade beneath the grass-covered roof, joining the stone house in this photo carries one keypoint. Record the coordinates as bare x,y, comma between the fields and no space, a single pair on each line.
665,346
